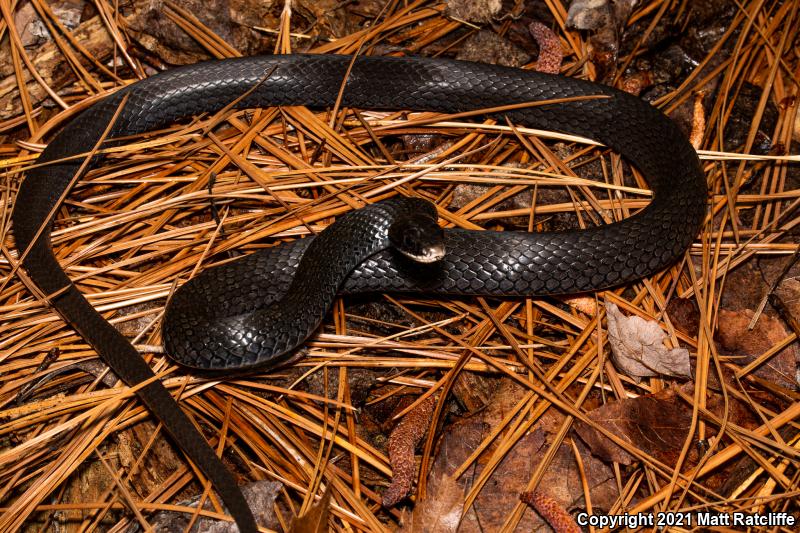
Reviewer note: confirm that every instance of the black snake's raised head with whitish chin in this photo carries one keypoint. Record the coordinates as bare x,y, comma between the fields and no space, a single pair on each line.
418,237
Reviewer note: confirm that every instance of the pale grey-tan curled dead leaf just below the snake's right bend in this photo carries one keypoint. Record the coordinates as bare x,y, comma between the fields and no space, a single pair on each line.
638,349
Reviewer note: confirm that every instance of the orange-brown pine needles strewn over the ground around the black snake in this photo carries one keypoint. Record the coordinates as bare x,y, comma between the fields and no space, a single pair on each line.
135,229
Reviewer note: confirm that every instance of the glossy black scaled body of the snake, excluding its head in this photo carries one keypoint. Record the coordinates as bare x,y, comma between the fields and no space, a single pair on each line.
486,263
